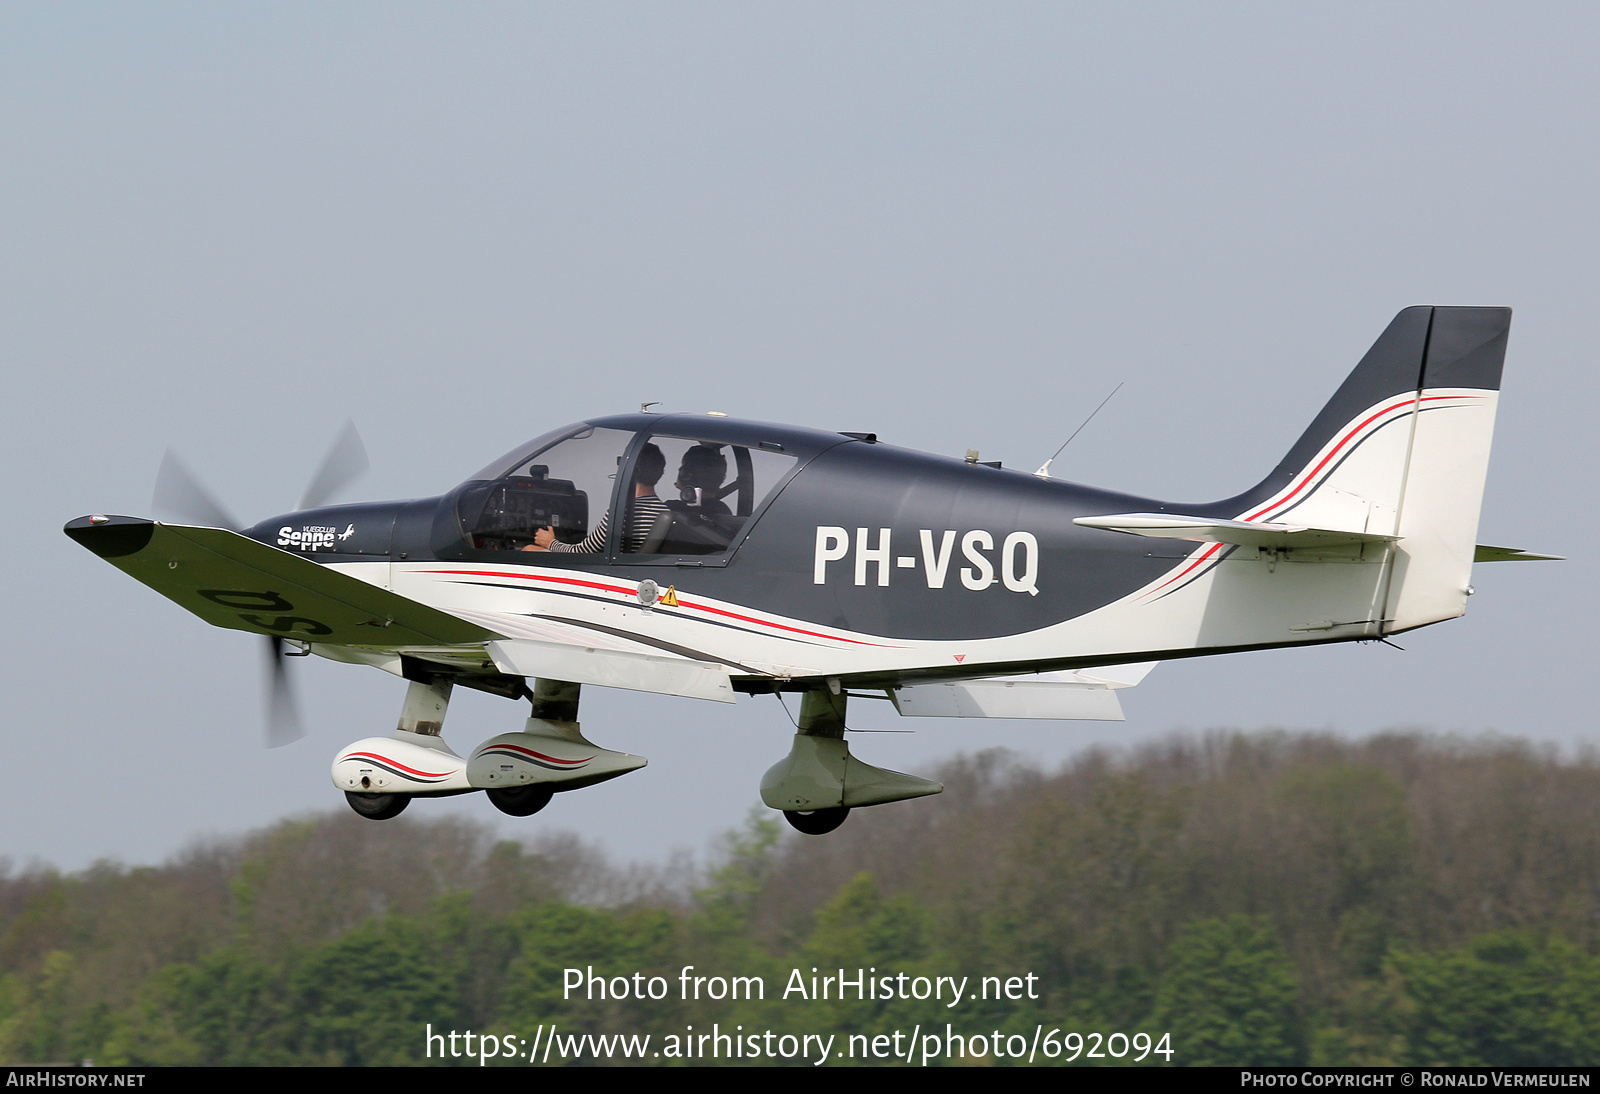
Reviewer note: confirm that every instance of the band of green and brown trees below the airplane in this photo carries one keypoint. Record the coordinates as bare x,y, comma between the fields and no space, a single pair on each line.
1265,900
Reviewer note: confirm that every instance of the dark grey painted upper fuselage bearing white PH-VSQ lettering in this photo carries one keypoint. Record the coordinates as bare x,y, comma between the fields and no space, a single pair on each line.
852,538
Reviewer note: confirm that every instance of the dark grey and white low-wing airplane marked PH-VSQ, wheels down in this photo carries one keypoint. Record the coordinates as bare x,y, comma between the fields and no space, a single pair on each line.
786,561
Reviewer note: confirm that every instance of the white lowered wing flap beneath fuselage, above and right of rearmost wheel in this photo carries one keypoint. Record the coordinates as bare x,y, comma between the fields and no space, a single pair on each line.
1089,695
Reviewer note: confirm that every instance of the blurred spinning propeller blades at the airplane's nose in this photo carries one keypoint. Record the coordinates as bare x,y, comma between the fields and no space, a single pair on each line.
180,497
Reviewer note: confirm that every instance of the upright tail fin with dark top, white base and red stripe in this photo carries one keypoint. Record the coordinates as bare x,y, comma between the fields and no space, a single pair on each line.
1402,450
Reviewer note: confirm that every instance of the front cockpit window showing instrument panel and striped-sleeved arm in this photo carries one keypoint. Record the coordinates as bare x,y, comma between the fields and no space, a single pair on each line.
562,482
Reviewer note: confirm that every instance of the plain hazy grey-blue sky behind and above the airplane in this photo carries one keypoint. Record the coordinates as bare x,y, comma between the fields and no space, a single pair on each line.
230,228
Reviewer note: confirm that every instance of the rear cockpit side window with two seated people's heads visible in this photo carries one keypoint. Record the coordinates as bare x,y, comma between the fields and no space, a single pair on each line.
711,490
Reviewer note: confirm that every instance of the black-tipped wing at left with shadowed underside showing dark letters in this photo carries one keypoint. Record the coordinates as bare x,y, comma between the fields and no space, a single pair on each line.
239,583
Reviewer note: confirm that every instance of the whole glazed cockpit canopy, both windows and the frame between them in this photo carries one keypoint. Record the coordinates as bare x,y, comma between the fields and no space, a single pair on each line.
614,492
